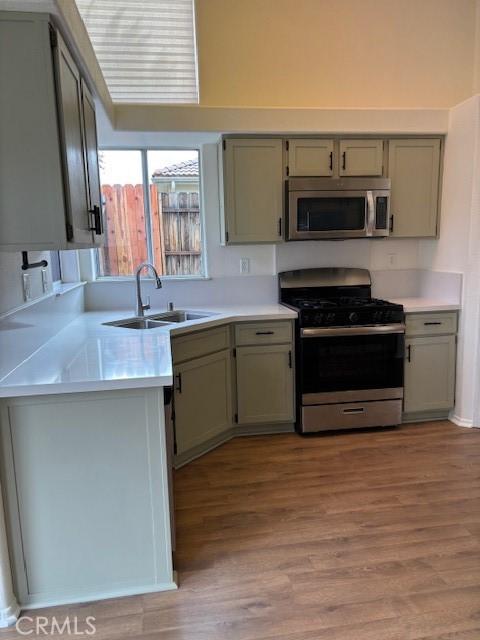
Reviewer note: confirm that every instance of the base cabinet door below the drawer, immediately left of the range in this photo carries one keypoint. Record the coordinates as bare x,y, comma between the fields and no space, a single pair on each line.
265,384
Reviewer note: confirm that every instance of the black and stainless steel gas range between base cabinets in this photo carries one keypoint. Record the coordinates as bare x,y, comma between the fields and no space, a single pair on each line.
349,347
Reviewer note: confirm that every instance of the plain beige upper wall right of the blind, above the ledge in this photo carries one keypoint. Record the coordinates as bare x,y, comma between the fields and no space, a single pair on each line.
336,53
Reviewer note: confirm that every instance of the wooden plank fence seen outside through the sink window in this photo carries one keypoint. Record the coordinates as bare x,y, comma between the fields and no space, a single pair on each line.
176,231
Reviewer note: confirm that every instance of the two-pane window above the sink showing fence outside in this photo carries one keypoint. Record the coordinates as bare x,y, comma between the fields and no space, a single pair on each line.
151,206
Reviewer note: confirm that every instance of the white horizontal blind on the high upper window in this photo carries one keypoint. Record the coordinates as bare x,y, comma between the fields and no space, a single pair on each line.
145,48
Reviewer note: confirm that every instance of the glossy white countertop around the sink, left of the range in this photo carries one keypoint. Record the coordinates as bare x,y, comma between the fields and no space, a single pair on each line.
88,356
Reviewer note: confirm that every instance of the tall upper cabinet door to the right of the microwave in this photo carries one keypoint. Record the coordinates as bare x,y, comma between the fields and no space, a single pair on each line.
414,167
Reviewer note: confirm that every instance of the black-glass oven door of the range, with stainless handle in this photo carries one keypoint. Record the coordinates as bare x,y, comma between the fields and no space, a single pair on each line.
345,364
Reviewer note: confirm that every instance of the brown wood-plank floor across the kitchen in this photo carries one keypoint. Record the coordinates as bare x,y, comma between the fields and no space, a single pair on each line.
355,536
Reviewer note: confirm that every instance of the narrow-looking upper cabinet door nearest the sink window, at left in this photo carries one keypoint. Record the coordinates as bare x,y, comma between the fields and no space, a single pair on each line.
91,163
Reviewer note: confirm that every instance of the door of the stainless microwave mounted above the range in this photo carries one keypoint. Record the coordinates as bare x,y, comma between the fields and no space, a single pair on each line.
316,215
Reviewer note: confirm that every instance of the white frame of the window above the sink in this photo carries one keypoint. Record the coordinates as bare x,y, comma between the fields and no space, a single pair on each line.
146,183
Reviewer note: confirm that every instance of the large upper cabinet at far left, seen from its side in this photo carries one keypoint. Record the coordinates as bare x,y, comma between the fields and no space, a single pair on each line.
49,183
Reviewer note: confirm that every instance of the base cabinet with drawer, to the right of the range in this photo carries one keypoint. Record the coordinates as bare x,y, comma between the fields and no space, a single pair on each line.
430,347
